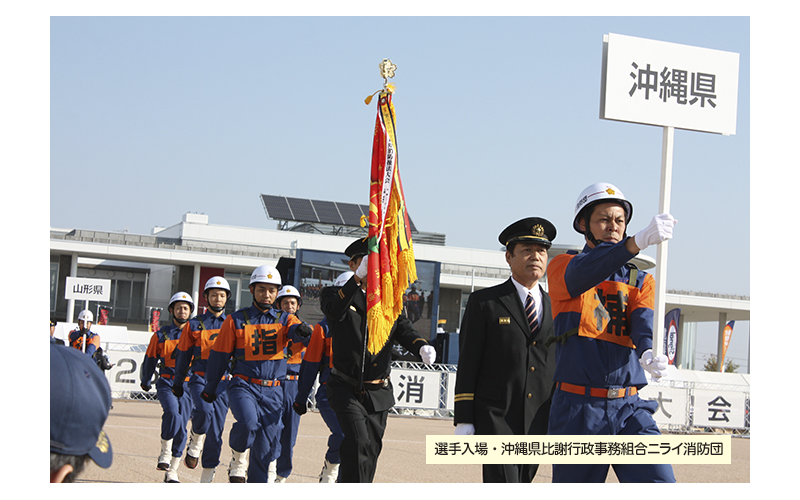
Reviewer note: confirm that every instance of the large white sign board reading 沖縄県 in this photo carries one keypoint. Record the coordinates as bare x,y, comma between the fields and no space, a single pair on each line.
670,85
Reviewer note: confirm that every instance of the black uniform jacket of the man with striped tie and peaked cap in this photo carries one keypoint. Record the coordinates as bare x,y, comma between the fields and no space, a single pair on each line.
504,382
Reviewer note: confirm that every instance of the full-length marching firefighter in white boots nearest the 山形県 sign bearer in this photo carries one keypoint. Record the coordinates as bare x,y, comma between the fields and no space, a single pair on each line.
177,410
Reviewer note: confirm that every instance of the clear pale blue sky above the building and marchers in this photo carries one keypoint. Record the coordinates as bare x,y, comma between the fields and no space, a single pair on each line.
497,119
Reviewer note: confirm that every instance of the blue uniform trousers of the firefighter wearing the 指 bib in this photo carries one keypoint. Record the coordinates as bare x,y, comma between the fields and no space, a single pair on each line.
257,411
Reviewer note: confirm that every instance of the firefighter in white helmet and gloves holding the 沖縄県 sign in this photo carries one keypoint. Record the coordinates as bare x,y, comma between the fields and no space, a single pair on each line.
603,315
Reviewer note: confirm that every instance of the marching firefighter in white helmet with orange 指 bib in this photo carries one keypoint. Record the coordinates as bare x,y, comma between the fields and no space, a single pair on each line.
253,339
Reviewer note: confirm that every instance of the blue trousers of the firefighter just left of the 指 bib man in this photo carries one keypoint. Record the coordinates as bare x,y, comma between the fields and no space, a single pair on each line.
209,419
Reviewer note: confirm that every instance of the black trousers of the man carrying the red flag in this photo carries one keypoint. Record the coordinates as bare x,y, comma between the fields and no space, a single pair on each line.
363,429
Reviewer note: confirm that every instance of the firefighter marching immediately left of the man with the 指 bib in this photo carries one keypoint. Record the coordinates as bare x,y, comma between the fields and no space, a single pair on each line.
194,346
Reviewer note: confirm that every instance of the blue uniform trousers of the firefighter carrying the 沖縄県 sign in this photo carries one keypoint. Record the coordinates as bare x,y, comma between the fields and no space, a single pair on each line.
576,414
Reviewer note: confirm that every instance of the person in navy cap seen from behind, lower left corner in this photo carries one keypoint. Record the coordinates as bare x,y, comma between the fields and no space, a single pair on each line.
80,398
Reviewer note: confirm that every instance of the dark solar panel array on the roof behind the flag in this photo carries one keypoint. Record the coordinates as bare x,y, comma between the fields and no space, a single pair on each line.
316,211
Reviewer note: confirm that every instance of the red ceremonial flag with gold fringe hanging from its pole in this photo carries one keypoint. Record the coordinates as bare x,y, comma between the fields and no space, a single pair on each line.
391,265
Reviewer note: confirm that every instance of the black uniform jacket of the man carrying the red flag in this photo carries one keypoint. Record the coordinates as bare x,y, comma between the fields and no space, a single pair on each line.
346,310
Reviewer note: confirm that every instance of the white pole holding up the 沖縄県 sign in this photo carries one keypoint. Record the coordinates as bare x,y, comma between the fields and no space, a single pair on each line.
659,312
